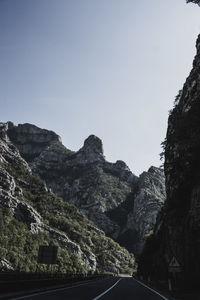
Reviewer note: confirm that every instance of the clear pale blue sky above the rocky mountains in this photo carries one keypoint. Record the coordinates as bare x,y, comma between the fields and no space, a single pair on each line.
106,67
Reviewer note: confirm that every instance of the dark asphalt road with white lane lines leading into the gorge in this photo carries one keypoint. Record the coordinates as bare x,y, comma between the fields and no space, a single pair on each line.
105,289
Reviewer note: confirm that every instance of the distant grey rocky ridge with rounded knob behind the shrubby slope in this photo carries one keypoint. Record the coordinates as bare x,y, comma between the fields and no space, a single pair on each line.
109,194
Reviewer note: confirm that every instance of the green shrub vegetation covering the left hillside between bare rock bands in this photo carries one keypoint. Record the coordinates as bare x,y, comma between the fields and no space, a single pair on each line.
20,246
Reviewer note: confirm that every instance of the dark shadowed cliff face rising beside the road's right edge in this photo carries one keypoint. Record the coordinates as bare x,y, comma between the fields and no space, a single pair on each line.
177,231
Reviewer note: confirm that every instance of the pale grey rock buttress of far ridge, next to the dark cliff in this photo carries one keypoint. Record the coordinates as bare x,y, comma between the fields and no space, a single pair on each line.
147,203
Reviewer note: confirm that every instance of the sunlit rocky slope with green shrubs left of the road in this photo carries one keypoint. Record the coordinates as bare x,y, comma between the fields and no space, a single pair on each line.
31,215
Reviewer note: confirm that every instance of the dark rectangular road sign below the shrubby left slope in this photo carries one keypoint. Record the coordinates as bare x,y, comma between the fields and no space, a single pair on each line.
47,255
